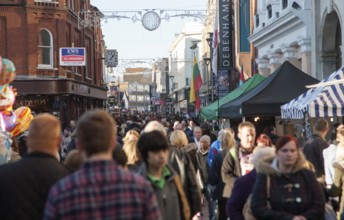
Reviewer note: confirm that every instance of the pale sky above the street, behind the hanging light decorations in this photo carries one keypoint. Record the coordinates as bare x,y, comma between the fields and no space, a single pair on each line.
132,40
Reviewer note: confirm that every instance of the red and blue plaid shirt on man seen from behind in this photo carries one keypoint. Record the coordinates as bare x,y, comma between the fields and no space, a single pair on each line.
101,190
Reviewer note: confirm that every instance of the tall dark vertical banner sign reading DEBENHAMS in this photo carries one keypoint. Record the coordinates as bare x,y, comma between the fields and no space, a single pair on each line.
225,26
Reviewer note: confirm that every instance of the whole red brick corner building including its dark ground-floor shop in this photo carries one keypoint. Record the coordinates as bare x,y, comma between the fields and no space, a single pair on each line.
31,33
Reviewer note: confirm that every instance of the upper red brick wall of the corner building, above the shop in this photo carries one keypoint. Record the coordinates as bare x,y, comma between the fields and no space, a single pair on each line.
19,28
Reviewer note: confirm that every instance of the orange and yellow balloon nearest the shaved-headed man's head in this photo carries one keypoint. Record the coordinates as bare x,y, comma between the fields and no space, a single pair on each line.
24,118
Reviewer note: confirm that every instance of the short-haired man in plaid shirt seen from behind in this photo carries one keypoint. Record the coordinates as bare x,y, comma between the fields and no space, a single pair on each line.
100,189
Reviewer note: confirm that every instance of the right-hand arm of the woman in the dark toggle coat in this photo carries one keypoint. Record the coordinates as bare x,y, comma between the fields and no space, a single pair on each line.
318,198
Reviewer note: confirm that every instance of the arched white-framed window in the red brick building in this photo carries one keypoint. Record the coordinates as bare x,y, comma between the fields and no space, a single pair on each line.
45,49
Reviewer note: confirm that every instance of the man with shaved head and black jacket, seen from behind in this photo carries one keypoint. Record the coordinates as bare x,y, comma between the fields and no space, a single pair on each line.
24,185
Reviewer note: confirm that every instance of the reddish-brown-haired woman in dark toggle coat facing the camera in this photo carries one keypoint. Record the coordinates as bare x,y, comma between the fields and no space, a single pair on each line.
287,188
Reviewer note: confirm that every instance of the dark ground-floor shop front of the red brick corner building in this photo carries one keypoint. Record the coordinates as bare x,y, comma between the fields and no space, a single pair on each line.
64,98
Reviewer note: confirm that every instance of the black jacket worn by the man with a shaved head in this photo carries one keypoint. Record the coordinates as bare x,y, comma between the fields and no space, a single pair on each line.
24,186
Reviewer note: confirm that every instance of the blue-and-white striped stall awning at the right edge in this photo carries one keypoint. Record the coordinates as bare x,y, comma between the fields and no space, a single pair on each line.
322,101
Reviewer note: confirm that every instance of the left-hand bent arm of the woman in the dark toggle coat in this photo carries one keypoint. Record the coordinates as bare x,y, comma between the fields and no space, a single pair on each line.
259,202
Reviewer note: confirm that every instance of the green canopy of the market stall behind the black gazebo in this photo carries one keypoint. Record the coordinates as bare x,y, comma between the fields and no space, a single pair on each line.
210,112
